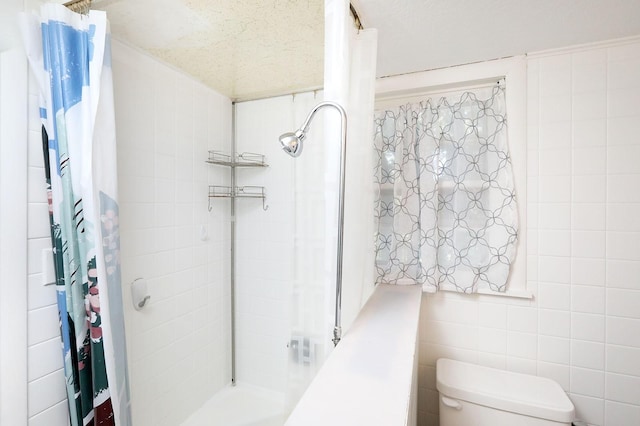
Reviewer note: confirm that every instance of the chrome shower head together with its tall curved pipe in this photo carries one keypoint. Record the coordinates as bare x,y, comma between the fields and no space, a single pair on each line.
292,144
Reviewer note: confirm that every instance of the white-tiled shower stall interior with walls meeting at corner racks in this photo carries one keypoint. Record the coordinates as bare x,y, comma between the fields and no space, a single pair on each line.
238,323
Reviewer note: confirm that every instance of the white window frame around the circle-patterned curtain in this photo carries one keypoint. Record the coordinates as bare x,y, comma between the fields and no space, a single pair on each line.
394,90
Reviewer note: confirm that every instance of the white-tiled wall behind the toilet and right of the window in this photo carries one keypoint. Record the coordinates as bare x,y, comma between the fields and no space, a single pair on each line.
582,328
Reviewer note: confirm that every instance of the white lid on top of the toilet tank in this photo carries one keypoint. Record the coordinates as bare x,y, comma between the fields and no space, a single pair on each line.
504,390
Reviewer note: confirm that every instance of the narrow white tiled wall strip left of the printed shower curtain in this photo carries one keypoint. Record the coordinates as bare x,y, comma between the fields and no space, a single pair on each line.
47,398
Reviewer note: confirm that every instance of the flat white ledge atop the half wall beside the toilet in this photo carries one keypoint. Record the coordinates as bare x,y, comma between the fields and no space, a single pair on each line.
367,379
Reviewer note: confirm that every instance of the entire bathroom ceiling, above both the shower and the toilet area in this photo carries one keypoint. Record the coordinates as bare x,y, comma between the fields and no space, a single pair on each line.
248,49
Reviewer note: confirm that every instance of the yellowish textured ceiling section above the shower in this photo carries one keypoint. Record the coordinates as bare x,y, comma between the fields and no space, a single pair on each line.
244,49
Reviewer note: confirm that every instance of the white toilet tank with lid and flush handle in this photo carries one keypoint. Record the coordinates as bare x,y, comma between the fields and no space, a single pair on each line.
474,395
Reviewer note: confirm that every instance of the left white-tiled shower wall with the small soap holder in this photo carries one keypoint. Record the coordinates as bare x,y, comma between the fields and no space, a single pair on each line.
178,345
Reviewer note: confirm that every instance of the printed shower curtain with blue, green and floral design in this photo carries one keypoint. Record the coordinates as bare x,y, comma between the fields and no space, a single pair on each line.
70,57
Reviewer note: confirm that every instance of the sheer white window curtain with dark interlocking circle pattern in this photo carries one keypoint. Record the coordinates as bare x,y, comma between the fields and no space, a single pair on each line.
446,206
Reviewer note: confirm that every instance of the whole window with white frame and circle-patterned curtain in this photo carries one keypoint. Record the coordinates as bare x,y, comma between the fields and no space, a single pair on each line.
446,207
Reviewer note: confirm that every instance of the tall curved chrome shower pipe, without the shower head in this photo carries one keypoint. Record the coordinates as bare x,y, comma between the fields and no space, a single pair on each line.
337,329
